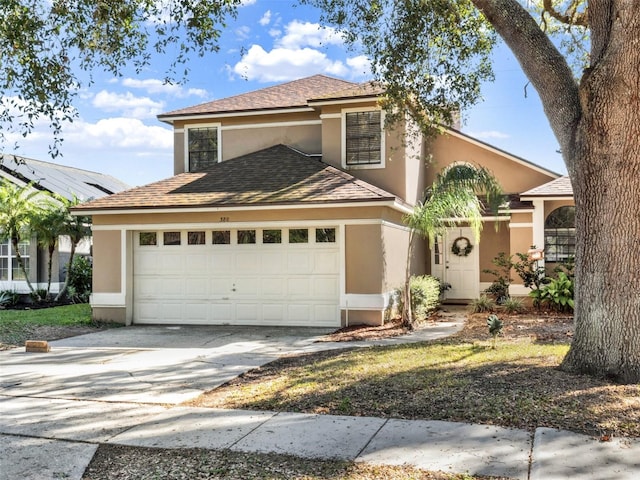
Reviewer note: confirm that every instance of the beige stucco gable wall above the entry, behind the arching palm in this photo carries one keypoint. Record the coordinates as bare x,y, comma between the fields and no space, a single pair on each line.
514,176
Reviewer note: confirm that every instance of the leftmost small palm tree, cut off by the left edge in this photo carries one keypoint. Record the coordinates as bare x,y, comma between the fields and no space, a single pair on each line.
18,206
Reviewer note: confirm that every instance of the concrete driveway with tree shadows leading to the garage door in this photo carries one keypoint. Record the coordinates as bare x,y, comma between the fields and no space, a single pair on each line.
150,364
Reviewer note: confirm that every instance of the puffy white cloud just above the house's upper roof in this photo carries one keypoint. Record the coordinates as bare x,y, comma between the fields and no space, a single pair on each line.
281,64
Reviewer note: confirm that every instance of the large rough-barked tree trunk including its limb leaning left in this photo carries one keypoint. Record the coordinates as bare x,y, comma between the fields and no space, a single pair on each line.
598,127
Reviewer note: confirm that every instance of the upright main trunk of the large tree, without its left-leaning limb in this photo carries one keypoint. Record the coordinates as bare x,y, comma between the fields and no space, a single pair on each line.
606,185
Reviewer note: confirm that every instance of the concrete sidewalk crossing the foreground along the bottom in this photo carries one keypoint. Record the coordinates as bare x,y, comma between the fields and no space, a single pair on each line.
62,445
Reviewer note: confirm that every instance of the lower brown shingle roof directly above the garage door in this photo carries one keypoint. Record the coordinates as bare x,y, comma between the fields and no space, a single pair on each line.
278,175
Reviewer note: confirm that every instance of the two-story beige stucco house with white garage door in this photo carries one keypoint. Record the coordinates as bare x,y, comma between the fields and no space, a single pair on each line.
286,208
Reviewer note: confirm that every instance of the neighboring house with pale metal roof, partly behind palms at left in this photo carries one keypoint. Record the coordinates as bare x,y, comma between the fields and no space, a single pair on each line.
52,178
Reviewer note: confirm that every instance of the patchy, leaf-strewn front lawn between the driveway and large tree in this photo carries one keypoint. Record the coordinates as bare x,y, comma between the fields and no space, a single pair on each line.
458,379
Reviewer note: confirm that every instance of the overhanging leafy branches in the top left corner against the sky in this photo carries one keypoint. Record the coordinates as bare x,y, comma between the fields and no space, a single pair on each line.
50,50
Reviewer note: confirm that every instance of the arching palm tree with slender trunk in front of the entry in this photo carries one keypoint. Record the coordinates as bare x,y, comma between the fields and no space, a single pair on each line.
452,198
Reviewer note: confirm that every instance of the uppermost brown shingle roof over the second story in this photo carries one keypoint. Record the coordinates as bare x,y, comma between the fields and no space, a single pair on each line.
285,95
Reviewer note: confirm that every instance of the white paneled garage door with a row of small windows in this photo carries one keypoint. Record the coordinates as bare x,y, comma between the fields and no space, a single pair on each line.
280,276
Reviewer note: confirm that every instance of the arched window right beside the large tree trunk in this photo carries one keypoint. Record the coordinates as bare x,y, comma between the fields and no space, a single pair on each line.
560,234
